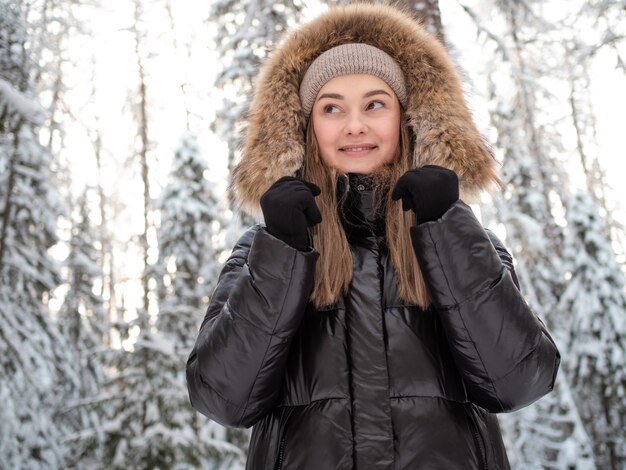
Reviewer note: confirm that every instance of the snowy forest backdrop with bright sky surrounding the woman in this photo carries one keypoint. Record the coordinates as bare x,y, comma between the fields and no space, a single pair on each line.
119,124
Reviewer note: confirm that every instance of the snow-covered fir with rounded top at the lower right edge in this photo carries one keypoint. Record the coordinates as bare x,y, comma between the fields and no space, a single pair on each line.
596,302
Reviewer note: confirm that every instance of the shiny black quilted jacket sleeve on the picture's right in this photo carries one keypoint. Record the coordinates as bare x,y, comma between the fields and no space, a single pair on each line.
505,354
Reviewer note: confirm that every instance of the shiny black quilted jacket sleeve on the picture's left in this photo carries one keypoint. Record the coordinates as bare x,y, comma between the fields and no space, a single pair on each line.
235,369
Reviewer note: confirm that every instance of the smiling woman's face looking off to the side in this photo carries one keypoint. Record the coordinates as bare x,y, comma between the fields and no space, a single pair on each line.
356,122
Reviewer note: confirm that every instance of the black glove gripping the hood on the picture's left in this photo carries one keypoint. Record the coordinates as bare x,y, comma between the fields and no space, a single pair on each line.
289,209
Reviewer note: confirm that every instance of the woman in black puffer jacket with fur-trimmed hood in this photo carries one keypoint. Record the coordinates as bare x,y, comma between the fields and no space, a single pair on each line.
372,323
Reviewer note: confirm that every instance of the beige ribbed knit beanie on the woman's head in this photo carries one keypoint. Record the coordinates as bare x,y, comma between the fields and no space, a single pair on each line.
353,58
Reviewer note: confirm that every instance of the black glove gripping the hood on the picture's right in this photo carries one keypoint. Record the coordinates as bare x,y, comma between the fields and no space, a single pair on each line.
429,191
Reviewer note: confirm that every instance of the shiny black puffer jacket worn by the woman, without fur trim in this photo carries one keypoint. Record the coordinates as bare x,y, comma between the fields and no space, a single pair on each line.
371,383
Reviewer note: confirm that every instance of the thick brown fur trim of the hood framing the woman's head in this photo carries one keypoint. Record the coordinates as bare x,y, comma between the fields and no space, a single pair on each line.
441,125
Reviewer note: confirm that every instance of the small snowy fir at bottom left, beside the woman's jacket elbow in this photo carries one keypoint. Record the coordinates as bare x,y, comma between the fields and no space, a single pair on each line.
147,424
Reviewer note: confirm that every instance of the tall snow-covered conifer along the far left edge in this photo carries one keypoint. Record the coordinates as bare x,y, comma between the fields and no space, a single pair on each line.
35,365
